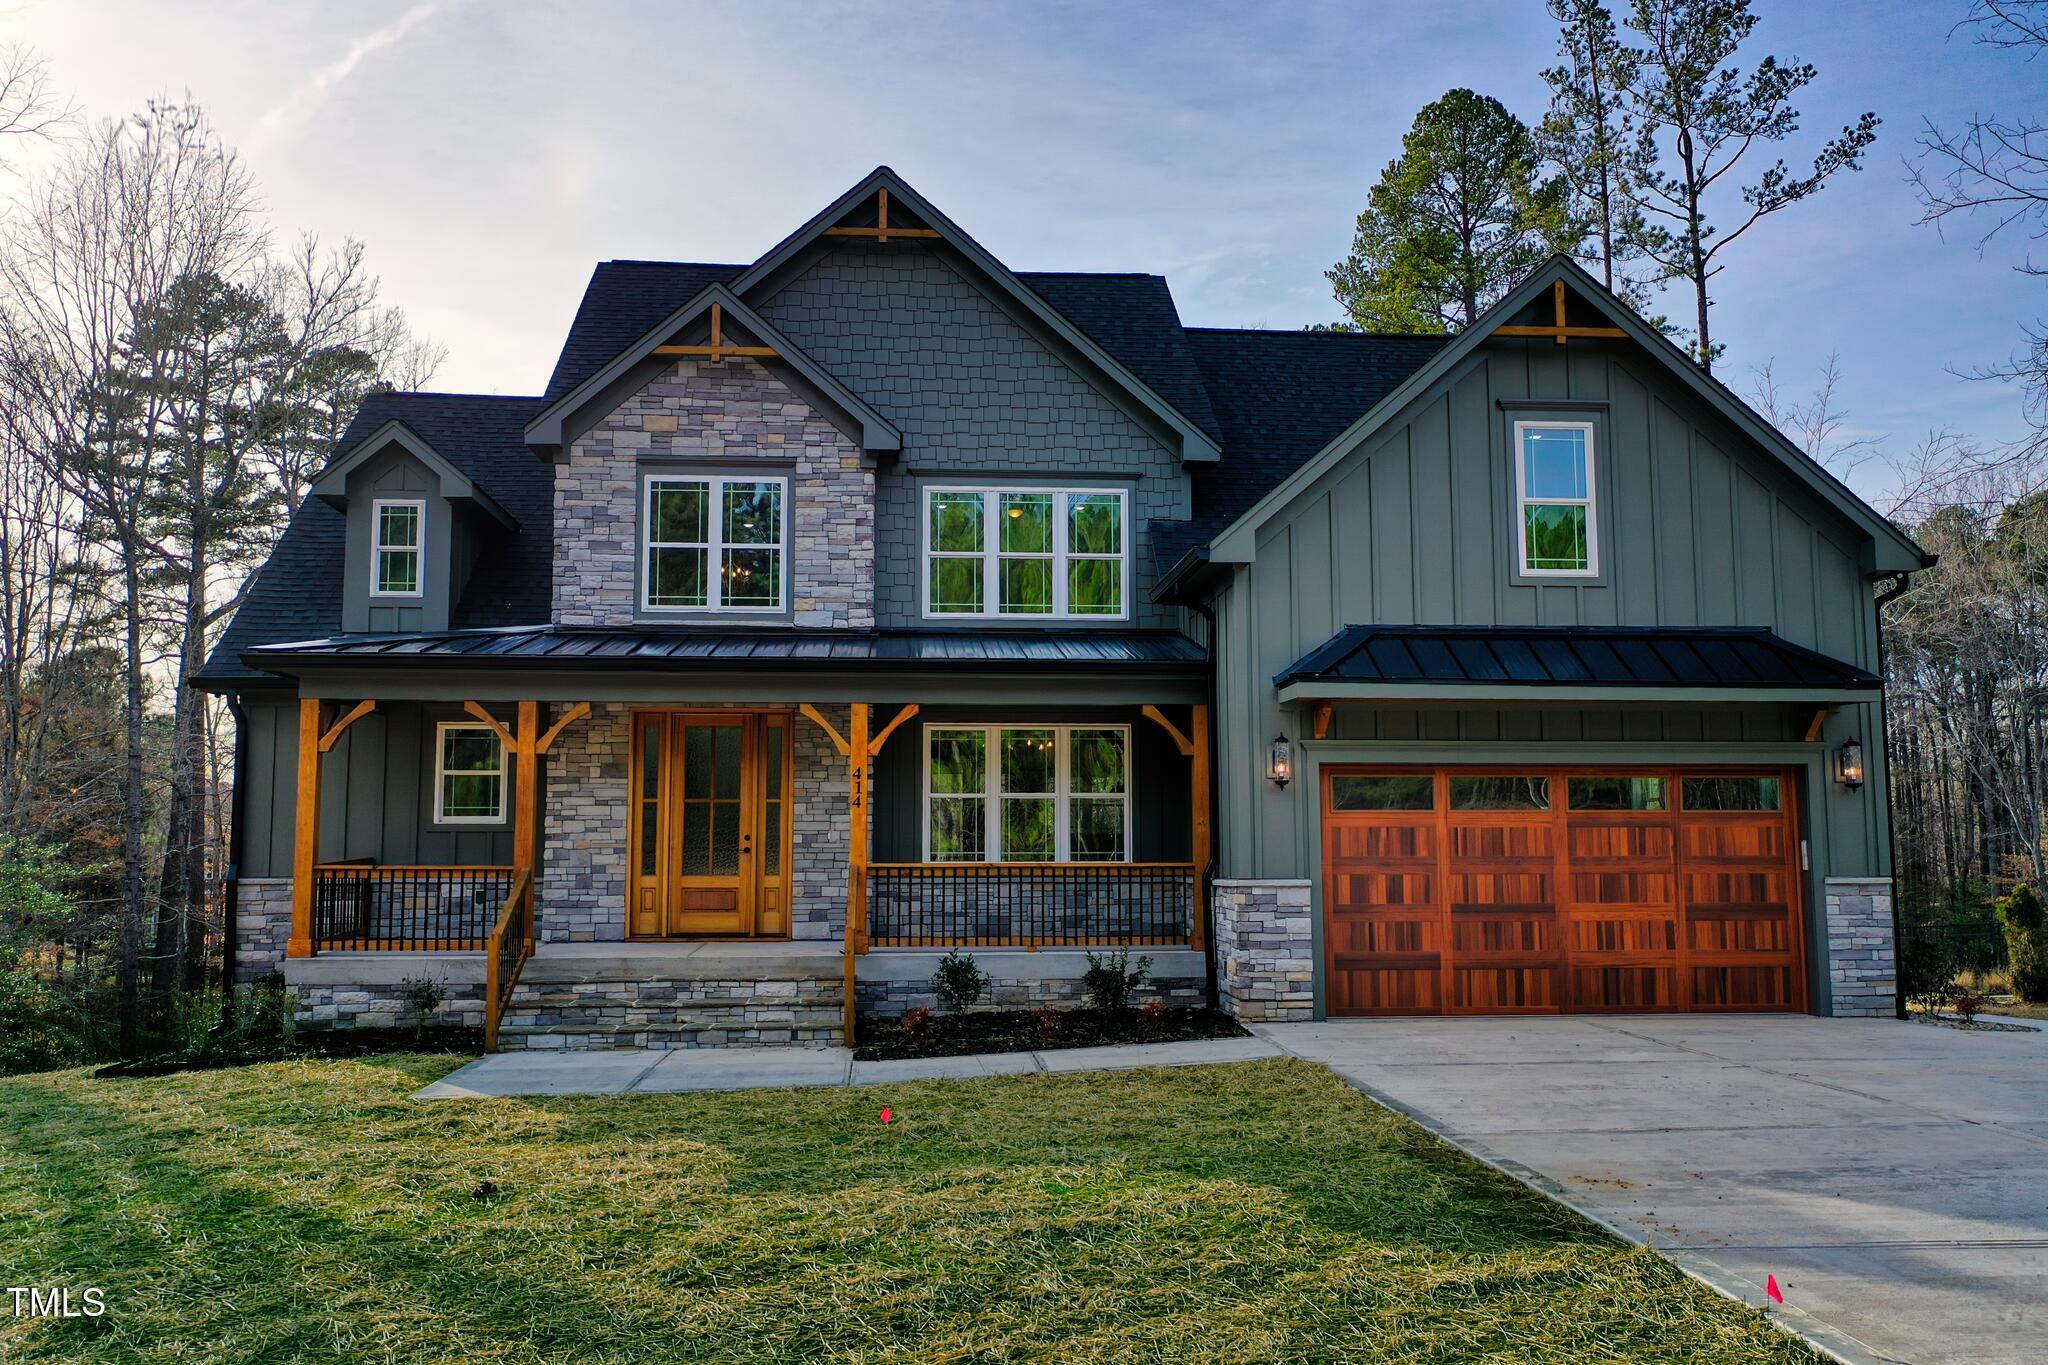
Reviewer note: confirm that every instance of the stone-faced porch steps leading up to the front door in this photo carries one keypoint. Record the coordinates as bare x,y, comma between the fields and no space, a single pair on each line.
581,998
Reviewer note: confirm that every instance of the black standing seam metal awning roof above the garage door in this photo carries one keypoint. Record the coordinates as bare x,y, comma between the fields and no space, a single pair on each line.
1574,656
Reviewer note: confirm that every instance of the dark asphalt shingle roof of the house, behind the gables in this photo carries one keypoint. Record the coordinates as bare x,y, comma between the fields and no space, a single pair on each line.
1269,398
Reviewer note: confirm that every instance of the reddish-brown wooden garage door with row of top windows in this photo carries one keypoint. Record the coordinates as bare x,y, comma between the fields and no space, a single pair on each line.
1562,891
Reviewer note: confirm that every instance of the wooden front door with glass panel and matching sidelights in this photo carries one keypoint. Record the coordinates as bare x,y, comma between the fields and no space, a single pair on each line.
710,838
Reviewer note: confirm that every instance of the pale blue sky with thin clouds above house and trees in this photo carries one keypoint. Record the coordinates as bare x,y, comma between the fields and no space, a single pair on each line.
490,152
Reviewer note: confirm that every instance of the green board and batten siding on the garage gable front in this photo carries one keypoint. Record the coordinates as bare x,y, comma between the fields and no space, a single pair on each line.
1697,527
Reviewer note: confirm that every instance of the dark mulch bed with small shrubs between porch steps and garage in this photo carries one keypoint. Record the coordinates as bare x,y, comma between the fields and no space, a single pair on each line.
882,1039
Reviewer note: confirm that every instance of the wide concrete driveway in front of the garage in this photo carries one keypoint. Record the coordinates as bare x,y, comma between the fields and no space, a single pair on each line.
1893,1176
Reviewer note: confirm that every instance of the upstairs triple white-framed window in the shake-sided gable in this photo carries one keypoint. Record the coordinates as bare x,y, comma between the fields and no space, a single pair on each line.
1027,554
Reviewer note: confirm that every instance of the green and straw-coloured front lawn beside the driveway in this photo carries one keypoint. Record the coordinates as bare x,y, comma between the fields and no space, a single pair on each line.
1254,1213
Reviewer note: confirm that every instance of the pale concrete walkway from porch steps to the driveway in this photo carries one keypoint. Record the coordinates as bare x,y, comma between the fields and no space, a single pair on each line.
749,1069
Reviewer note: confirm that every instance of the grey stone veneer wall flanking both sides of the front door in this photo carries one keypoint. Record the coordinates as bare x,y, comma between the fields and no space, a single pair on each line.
585,830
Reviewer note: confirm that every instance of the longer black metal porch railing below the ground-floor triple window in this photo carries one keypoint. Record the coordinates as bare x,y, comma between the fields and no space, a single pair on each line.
1029,906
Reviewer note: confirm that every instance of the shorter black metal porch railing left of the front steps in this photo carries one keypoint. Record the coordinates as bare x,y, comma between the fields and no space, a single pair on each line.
364,908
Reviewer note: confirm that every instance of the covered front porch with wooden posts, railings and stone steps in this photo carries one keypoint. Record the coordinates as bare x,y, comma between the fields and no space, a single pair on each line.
728,875
